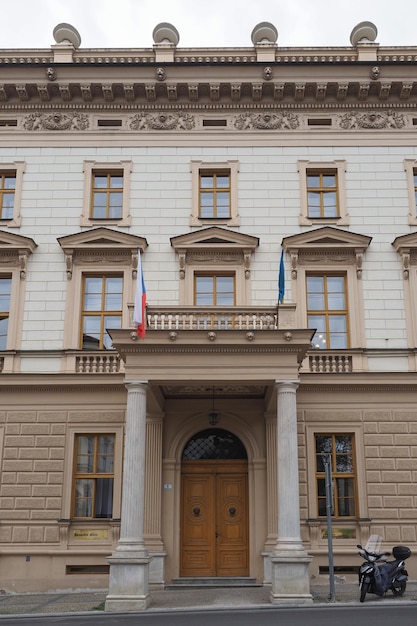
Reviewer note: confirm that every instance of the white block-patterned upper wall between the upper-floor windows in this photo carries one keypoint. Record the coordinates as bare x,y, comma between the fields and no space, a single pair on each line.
160,207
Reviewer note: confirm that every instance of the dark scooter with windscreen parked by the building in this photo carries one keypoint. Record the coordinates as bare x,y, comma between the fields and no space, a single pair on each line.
376,574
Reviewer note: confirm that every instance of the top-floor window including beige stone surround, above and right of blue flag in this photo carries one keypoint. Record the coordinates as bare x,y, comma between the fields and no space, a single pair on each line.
323,196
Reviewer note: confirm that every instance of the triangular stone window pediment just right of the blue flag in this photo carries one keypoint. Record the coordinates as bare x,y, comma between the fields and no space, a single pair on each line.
326,245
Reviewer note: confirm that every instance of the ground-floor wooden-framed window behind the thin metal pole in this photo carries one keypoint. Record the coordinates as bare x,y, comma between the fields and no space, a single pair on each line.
340,448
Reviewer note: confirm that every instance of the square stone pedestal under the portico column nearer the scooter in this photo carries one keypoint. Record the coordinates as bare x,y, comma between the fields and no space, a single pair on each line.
290,581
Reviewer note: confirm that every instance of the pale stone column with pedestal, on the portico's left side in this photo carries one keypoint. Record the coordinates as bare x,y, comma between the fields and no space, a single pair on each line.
129,564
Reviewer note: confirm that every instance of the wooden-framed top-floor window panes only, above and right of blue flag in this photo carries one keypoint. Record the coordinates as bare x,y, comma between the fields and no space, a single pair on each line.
322,196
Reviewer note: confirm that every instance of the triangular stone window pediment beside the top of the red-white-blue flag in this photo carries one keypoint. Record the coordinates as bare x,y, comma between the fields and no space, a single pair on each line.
101,245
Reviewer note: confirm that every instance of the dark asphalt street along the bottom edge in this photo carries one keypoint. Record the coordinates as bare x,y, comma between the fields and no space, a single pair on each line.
343,615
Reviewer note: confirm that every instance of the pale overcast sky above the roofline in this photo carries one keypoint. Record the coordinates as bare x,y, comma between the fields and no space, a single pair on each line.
201,23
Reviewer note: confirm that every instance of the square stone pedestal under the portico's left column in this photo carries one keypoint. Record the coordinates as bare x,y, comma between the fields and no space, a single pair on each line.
128,584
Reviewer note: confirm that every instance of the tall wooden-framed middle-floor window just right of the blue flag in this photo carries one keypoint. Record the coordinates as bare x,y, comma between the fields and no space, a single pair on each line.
327,311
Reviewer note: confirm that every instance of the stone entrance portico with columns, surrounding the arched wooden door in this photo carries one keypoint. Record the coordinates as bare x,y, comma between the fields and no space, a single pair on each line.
186,362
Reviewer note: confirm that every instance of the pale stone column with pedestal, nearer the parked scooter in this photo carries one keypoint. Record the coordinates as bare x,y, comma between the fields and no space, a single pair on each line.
289,560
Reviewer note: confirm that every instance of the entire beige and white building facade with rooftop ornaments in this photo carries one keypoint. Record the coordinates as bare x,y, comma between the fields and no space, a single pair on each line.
200,450
